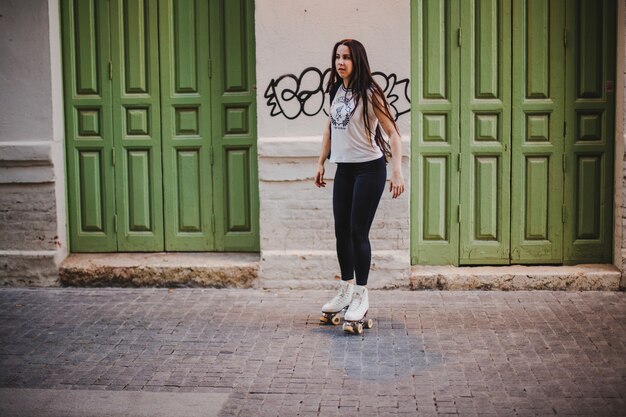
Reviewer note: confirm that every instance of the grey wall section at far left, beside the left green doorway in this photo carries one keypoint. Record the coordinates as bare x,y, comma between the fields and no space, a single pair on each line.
30,202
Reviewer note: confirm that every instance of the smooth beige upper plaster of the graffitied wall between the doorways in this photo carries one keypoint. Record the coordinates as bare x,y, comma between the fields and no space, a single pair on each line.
292,35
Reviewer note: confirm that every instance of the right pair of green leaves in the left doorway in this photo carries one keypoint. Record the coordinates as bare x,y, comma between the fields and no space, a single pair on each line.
209,125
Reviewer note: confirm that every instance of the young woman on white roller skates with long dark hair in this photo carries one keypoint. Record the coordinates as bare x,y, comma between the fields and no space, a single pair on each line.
353,140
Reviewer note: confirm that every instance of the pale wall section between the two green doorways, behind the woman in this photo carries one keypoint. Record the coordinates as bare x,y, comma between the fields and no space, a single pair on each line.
297,227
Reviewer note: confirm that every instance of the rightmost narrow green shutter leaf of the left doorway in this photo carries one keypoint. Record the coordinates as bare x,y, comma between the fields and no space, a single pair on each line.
234,124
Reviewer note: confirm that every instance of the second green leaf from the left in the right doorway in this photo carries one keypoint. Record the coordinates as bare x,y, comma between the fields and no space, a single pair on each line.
485,131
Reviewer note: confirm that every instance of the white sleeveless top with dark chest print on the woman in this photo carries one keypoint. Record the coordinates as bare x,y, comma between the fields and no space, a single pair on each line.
349,139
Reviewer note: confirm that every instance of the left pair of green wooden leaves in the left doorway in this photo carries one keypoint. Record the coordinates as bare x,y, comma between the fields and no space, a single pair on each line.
113,125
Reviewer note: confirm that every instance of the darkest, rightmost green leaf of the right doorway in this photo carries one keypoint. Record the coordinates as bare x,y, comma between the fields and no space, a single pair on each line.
589,139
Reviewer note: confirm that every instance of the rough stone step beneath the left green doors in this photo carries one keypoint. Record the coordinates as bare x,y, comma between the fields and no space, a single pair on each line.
218,270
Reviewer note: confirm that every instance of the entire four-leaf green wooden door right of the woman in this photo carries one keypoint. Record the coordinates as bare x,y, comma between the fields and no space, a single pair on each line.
530,125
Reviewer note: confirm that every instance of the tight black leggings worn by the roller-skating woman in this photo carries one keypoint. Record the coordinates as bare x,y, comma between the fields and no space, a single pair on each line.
356,193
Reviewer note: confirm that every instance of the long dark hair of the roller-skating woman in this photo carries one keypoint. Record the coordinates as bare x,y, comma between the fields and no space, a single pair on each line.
361,82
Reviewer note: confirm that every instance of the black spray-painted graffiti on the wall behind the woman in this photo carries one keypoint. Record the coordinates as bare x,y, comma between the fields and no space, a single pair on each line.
293,96
